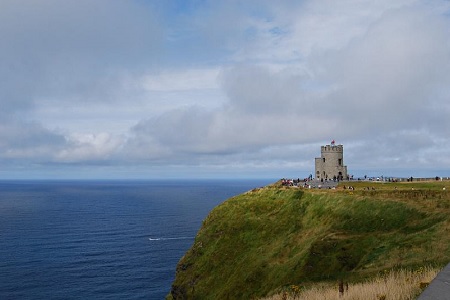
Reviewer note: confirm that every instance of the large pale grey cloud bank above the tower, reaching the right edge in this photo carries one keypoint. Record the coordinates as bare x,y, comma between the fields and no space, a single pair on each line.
377,82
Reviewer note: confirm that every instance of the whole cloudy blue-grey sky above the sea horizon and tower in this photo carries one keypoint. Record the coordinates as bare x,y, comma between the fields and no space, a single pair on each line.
145,89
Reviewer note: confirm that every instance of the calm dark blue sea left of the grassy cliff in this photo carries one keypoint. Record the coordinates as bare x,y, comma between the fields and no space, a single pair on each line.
100,240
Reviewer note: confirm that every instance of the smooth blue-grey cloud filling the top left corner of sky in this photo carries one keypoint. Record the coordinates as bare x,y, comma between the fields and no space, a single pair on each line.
71,50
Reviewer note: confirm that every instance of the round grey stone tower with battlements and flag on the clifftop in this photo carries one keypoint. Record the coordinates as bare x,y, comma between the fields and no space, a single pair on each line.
330,164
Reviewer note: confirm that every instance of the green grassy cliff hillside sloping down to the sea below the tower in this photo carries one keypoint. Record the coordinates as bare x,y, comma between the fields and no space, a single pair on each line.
256,243
